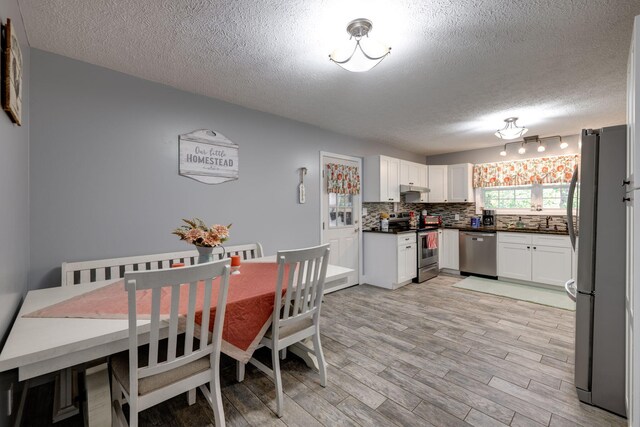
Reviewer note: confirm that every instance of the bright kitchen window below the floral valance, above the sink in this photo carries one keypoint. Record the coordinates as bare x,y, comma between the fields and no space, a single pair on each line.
536,197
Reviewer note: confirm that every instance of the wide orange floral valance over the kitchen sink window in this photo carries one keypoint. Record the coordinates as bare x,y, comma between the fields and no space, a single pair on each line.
543,170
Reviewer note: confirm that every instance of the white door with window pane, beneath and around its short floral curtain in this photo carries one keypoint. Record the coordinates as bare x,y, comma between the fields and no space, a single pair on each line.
341,222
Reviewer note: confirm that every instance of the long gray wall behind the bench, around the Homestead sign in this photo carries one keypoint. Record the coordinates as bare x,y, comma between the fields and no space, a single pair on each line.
104,179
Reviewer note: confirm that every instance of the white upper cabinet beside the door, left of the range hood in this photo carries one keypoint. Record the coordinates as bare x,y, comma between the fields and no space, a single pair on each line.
381,179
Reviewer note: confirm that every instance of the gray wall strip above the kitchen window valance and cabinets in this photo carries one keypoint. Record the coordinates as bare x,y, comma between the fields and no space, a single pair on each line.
492,154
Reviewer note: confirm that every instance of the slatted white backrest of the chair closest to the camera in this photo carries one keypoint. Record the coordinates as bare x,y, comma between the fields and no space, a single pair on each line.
202,275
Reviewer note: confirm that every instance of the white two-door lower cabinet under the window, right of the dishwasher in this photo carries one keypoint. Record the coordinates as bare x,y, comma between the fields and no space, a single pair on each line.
536,258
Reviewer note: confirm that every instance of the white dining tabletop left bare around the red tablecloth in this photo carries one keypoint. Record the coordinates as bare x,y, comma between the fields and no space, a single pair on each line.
37,346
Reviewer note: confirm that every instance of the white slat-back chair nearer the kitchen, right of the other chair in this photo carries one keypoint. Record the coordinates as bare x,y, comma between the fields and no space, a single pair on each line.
296,315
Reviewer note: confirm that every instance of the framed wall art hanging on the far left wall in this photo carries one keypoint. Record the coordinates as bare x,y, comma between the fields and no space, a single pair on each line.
12,74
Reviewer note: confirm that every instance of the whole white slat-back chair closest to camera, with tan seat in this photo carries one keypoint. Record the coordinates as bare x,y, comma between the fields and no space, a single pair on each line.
165,368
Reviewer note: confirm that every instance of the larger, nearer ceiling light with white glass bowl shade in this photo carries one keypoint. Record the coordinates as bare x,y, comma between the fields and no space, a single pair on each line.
365,54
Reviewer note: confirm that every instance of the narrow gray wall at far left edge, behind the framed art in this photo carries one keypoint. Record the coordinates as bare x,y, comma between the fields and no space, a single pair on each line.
14,205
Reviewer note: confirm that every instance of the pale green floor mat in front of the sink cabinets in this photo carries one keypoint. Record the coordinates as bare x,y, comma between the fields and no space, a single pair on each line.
551,297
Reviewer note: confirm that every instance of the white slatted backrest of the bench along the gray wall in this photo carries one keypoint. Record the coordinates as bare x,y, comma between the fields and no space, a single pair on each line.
74,273
